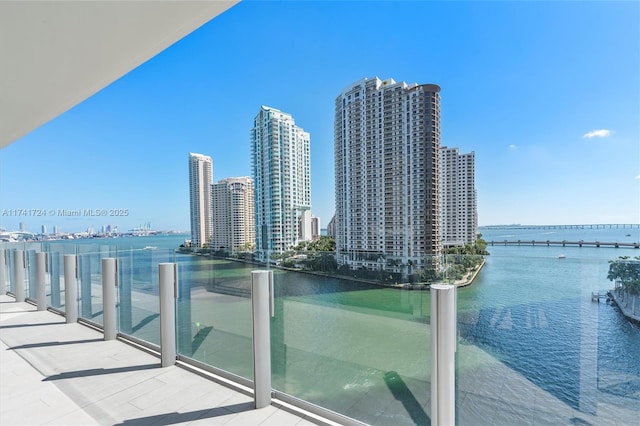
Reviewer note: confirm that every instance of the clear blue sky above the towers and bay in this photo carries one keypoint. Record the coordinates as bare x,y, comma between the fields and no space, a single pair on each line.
547,94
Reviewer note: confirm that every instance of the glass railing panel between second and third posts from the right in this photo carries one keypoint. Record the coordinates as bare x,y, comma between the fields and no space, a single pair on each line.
214,312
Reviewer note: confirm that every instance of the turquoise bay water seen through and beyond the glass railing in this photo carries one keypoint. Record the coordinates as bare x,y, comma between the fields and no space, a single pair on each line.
533,348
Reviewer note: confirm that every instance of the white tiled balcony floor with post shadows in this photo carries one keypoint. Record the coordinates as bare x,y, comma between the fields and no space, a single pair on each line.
57,373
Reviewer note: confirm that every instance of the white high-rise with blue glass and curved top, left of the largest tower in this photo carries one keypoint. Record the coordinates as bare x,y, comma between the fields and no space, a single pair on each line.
280,161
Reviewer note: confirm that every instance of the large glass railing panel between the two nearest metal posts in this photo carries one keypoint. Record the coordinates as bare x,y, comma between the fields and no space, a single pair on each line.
356,346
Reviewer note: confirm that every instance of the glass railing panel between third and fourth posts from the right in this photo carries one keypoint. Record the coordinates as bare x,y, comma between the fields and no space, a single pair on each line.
138,303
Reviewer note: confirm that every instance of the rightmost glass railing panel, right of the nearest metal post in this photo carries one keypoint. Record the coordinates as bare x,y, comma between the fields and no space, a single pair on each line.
541,342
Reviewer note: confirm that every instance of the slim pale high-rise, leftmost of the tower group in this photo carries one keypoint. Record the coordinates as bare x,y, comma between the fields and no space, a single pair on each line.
200,180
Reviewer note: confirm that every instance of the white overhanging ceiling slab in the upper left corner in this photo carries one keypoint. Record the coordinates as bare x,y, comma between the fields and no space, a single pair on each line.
55,54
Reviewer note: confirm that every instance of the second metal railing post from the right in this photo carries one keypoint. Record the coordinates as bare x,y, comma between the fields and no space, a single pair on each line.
262,308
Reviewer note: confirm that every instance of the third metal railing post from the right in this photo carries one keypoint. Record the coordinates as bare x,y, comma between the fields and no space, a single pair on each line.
168,277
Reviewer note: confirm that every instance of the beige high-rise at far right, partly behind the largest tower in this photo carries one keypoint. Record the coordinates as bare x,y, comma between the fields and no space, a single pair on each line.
458,208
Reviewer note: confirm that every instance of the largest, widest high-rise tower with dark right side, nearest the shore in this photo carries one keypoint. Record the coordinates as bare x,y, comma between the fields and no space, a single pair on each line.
387,137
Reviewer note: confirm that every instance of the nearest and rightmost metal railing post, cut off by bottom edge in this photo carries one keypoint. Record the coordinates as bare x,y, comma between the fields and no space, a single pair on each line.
443,348
